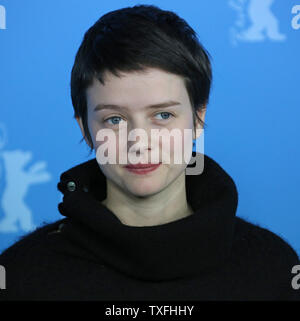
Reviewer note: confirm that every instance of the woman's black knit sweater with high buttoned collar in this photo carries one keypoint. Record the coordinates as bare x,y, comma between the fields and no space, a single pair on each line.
90,255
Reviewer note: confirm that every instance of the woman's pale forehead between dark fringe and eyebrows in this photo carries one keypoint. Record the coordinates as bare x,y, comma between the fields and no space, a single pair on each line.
137,89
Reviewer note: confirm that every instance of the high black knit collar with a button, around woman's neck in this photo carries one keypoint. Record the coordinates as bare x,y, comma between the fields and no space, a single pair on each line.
181,248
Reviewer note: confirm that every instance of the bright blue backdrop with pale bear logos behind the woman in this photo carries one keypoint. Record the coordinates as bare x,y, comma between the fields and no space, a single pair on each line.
252,118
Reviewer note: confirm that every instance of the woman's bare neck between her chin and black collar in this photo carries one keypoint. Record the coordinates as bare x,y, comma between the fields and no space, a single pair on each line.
164,207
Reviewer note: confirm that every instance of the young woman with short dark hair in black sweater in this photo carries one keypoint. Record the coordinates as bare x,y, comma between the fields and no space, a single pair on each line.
146,231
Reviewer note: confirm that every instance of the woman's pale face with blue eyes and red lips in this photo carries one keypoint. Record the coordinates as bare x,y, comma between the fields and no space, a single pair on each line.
133,93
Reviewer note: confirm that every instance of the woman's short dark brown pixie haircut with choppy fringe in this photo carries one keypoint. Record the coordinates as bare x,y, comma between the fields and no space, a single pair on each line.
132,39
